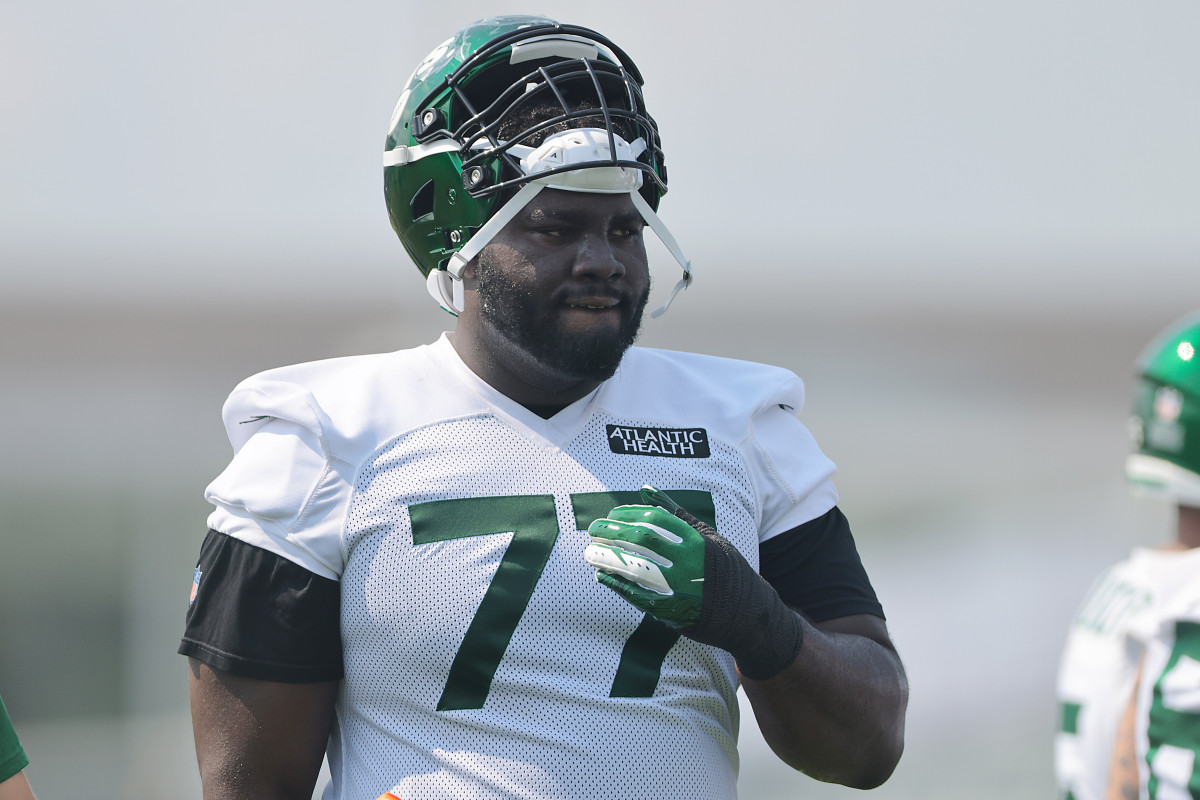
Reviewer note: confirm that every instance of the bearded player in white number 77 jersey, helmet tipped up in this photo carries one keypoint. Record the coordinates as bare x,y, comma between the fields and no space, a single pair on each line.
530,561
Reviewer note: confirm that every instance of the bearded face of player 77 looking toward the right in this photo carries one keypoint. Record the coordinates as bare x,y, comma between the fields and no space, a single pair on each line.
567,282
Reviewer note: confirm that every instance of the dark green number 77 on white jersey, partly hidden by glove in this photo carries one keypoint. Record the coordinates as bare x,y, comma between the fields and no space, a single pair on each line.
533,524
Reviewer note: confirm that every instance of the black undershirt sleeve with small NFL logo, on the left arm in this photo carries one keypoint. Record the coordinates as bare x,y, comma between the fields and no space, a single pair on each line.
257,615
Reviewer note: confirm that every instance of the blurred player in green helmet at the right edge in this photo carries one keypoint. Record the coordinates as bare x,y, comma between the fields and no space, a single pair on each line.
1142,617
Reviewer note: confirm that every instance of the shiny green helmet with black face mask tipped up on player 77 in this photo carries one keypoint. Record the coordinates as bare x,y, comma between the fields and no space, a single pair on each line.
502,110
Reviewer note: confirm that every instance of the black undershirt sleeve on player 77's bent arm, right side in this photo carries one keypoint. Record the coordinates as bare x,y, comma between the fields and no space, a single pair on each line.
815,569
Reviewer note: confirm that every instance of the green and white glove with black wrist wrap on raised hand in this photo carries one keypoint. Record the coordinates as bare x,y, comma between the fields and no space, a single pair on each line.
681,572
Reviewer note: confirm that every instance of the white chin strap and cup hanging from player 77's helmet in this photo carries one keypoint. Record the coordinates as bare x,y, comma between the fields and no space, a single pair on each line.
586,147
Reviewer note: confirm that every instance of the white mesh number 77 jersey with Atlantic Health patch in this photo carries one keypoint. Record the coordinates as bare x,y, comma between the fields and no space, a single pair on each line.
483,660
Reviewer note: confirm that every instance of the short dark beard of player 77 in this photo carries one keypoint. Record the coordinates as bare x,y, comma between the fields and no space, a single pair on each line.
562,358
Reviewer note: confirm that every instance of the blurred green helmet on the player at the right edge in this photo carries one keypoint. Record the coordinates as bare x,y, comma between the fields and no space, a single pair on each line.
1166,426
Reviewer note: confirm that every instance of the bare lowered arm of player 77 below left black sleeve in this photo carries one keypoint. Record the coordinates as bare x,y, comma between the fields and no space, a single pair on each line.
257,739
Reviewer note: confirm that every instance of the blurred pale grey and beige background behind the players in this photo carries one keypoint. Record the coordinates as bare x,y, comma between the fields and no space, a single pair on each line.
959,222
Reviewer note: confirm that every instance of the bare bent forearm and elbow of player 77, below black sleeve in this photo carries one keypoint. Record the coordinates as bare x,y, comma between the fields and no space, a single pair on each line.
838,712
